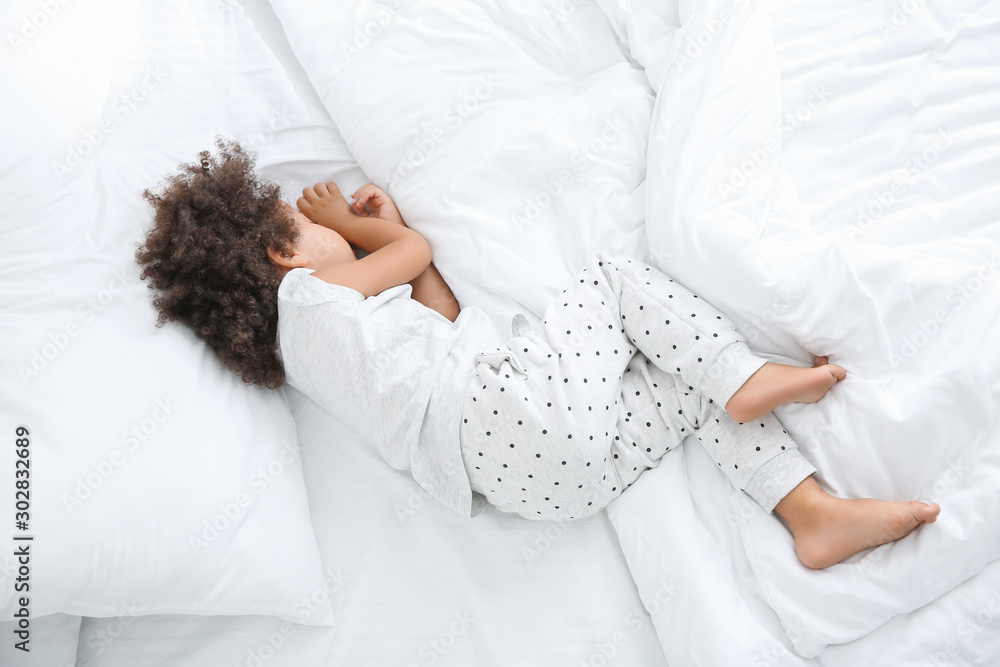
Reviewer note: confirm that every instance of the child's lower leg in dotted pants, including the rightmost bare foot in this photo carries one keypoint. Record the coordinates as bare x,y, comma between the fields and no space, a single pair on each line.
759,458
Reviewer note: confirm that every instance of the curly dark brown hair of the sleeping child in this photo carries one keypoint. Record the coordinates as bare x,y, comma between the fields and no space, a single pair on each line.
206,255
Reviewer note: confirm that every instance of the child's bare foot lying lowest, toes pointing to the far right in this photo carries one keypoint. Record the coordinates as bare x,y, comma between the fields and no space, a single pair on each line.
828,529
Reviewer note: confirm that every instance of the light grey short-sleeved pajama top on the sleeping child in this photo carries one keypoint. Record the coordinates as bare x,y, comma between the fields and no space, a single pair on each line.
393,369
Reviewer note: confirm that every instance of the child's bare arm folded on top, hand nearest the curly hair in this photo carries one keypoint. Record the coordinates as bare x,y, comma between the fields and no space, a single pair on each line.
397,254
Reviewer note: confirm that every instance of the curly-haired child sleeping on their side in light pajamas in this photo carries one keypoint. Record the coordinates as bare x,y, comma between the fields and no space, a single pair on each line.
549,422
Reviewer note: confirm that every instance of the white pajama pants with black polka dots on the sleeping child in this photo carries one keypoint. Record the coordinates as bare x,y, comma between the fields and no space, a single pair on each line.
626,364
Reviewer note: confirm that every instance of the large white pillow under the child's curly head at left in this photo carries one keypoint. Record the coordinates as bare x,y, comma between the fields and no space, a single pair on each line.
159,482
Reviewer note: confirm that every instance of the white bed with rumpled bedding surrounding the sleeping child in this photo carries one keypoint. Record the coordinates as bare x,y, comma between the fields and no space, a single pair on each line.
827,175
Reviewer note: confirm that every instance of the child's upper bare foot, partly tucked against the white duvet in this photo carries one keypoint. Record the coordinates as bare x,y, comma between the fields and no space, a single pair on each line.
776,384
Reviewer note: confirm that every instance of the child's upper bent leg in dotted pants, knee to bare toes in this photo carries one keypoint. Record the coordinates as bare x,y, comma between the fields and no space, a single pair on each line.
681,333
